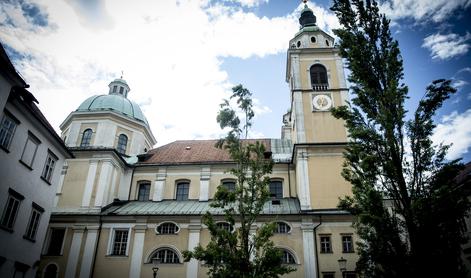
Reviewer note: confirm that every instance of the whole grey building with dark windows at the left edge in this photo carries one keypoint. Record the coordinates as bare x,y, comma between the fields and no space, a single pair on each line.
31,159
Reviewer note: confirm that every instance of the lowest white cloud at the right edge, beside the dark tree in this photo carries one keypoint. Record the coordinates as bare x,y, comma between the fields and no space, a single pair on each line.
454,129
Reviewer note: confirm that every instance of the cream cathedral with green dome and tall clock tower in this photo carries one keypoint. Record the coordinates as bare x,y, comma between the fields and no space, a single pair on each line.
122,205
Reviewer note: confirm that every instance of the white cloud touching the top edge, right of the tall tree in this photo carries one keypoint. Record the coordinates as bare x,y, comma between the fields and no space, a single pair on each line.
423,10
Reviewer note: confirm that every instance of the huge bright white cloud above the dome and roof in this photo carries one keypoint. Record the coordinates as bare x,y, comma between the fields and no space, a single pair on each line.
171,53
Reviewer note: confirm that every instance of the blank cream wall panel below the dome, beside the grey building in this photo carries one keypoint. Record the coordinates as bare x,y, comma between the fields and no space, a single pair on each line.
74,183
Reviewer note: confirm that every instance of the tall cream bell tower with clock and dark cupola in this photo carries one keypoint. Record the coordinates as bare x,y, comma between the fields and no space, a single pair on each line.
316,79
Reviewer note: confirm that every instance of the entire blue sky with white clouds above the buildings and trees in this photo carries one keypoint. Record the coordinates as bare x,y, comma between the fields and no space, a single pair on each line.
182,57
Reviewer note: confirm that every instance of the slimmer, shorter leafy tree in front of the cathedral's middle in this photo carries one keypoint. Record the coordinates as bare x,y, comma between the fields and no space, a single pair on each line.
247,251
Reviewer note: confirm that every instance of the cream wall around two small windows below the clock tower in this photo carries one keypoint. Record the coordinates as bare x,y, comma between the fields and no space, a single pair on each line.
328,262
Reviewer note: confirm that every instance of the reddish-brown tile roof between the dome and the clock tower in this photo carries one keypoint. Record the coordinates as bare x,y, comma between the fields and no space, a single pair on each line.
192,151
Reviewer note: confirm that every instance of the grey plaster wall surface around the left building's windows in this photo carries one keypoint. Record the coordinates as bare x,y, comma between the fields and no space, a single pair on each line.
26,181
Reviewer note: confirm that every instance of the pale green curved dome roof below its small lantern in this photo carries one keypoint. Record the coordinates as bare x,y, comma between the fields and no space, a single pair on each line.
114,103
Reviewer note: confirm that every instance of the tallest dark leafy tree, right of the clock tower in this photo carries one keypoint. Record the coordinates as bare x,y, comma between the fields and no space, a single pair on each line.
392,160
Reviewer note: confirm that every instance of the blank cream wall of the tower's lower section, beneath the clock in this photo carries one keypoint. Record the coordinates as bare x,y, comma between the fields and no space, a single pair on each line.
326,182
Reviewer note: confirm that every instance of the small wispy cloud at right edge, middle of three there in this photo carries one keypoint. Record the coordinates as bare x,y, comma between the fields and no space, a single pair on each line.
447,46
